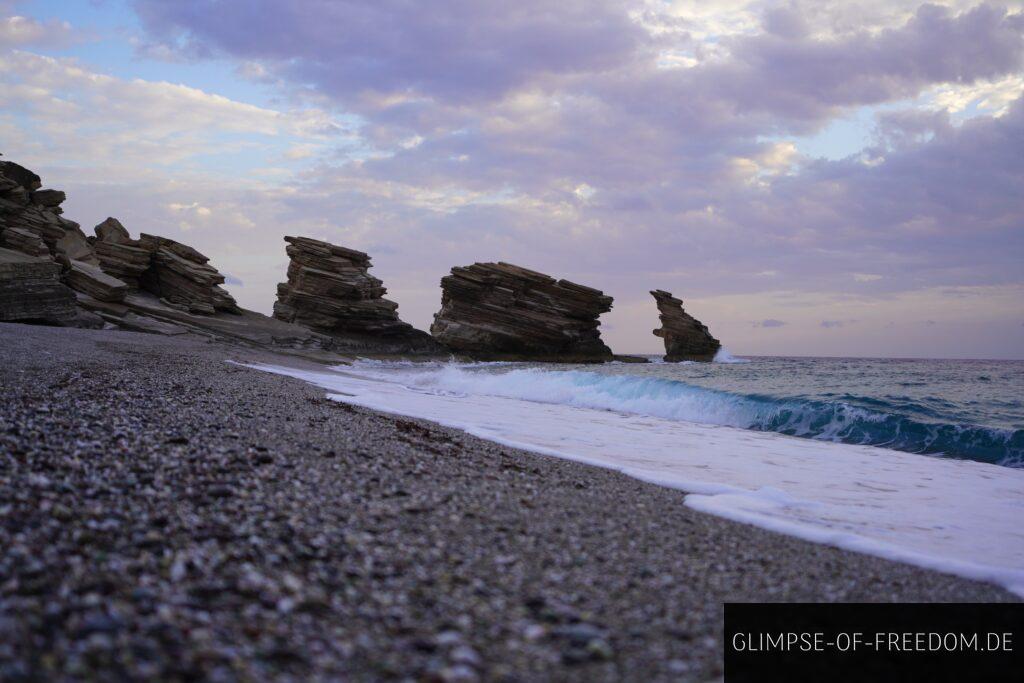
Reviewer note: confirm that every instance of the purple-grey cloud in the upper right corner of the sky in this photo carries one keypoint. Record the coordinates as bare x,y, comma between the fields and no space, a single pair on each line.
797,75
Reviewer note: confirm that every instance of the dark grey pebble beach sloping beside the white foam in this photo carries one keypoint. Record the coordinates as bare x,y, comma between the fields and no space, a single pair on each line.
165,515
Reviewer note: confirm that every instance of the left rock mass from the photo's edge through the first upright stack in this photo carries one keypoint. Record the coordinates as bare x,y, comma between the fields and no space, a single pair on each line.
52,273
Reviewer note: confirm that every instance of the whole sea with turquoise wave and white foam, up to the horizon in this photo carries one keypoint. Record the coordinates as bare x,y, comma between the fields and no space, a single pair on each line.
920,461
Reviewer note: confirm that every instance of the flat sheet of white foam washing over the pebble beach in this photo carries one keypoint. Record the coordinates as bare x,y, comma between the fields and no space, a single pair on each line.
960,518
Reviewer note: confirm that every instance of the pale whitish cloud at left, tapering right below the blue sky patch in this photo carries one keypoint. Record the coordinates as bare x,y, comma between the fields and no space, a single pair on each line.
66,111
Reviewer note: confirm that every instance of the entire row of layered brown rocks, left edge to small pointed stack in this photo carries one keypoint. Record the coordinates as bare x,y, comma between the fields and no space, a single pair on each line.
52,273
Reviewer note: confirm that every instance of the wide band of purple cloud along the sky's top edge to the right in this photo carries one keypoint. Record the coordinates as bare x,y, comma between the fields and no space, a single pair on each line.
415,63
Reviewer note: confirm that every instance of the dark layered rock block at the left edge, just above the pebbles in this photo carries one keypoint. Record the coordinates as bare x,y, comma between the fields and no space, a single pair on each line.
31,290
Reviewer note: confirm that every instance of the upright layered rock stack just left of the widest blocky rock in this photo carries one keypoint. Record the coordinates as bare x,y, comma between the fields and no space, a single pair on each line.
330,290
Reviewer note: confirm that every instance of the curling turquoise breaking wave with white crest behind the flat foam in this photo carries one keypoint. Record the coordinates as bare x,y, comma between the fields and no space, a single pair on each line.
884,424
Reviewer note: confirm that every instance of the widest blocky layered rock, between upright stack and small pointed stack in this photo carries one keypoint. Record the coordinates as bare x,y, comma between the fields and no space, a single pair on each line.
503,312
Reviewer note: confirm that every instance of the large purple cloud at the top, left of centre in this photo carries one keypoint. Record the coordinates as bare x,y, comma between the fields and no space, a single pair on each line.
455,50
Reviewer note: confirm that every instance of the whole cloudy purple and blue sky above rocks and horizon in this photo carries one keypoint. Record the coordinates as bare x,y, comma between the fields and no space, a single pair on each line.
813,178
